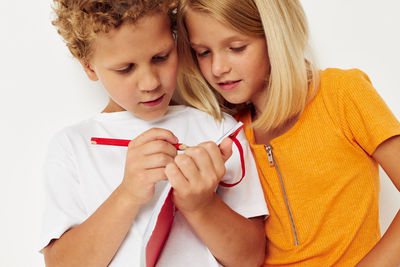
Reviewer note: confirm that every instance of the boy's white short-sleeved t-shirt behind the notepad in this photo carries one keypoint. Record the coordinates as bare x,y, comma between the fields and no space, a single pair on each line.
80,176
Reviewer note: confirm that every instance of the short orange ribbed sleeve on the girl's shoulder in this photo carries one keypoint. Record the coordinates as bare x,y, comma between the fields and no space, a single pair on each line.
366,119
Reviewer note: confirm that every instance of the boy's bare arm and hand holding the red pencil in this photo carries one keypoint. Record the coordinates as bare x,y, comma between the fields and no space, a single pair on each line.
96,240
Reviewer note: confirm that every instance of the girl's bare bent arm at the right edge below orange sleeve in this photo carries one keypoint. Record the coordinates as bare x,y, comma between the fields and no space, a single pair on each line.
386,251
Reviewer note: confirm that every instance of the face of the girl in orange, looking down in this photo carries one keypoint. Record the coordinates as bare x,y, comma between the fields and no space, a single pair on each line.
236,65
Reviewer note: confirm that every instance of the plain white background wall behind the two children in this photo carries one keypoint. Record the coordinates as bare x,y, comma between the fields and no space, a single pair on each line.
43,89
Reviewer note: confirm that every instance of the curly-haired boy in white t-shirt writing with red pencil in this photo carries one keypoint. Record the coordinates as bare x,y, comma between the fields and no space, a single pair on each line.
100,198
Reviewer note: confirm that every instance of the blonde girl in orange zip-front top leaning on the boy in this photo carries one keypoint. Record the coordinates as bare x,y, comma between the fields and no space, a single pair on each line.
317,136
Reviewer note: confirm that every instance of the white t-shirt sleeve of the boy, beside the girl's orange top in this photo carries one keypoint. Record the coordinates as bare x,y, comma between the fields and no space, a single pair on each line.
245,198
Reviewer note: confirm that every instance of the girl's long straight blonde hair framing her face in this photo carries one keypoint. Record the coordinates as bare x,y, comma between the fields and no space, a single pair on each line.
293,78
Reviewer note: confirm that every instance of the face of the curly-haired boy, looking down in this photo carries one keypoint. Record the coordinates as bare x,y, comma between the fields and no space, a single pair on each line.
137,65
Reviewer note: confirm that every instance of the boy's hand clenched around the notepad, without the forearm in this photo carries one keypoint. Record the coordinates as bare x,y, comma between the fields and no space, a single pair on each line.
195,174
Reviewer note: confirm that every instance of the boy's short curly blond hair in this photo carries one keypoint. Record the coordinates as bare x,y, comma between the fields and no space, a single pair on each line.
79,22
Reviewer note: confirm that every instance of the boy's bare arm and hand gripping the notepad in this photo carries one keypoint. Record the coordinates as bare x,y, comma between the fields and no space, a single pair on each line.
233,239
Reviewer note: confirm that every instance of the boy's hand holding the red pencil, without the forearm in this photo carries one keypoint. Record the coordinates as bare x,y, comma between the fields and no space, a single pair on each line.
146,159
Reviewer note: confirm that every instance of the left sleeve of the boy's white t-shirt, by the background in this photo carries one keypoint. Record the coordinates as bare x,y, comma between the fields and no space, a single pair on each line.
63,205
